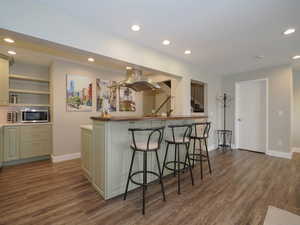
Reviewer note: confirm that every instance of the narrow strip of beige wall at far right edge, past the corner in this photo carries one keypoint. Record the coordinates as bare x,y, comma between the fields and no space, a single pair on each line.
296,115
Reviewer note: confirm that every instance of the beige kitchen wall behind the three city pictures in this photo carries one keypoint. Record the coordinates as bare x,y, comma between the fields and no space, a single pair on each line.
66,131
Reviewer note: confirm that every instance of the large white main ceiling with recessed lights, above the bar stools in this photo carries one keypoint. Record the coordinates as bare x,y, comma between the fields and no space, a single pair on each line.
224,35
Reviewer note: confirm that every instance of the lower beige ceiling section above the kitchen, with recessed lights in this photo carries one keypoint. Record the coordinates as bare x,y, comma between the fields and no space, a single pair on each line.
35,51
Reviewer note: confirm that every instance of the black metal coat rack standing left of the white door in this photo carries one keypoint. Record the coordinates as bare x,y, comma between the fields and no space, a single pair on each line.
224,136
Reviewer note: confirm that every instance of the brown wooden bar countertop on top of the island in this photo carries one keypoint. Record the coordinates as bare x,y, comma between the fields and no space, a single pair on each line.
141,118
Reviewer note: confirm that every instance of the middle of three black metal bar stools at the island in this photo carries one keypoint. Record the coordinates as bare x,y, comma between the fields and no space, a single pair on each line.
178,141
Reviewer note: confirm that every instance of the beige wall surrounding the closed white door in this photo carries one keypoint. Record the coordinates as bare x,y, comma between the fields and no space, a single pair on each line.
280,103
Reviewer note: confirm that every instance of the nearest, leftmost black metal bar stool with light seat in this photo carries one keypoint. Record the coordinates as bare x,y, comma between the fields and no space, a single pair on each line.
152,145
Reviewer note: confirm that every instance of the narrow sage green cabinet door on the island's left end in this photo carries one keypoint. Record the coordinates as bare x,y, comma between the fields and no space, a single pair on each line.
86,150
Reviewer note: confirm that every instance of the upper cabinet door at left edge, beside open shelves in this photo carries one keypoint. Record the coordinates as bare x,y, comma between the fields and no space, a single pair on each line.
4,83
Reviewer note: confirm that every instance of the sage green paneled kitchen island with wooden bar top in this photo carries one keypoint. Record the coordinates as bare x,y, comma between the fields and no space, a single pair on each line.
110,153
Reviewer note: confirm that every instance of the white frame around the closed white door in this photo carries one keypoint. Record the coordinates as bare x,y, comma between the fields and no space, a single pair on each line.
236,126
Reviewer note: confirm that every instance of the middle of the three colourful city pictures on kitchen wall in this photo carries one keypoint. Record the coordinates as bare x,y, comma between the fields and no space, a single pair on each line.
106,94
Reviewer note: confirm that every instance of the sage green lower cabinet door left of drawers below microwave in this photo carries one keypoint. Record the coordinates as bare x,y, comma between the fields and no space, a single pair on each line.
11,143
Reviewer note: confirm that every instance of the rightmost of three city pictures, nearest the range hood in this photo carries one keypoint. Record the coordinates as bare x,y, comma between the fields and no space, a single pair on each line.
127,99
